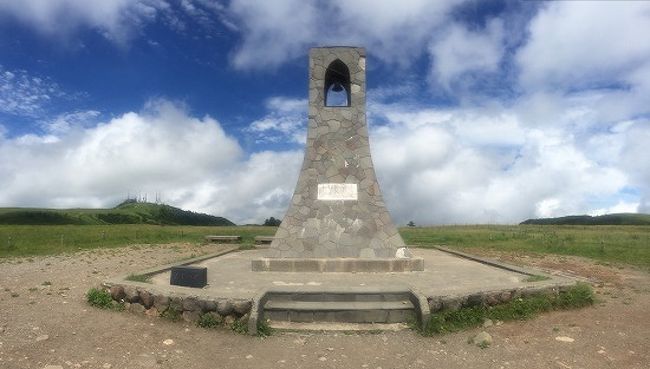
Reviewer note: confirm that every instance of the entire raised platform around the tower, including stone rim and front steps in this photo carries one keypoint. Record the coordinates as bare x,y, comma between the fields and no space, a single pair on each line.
448,280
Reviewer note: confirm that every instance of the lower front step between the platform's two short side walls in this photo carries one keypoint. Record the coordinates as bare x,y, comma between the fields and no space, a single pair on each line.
340,311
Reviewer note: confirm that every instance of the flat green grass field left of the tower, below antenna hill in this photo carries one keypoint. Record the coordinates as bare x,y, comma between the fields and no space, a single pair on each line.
27,240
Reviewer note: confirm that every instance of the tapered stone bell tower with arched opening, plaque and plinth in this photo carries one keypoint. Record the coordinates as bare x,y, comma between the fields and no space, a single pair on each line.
337,220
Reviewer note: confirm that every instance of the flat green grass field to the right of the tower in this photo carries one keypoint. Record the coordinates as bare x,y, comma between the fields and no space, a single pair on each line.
618,244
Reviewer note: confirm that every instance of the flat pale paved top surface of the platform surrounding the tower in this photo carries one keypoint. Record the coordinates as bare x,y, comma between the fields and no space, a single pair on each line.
444,274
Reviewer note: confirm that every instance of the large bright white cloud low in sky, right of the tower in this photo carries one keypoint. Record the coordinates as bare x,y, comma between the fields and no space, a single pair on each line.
484,166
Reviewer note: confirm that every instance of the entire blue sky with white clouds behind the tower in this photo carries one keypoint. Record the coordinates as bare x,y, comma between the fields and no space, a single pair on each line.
479,111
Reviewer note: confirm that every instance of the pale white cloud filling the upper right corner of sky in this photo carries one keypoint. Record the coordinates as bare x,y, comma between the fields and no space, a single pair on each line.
576,44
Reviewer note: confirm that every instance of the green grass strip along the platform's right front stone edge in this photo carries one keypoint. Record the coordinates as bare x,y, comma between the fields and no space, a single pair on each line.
447,321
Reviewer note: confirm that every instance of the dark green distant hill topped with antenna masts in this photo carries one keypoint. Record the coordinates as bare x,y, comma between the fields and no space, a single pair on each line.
128,212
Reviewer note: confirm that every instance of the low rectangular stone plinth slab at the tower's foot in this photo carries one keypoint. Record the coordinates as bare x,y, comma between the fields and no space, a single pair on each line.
338,265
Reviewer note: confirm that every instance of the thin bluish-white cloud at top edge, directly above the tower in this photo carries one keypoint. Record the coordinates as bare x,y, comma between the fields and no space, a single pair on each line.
276,31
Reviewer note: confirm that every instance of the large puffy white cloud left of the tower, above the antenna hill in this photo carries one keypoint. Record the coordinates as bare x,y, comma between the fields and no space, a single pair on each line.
192,162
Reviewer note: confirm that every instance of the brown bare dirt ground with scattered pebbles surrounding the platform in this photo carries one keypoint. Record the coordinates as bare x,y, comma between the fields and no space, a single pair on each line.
46,323
